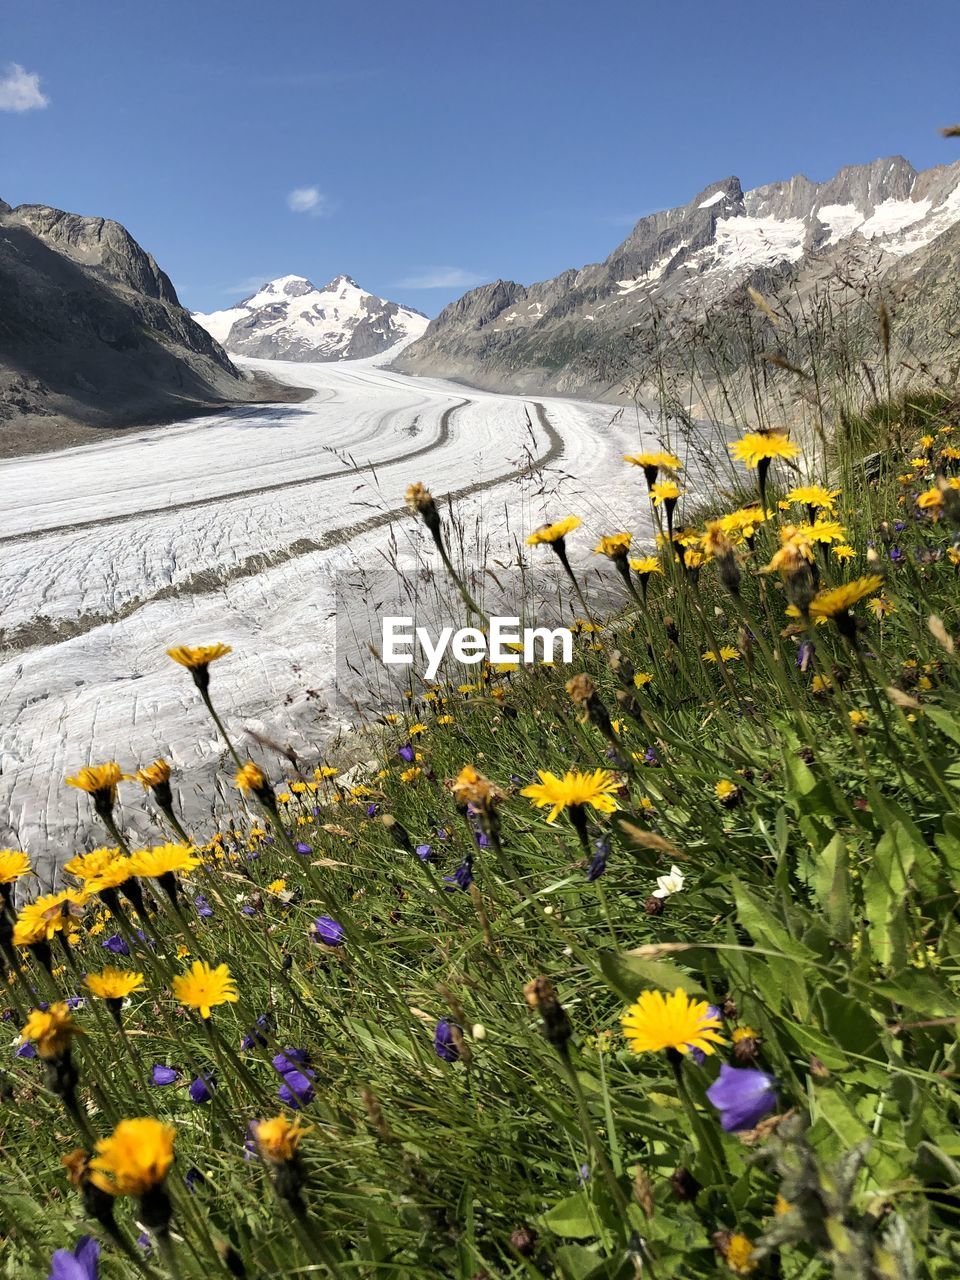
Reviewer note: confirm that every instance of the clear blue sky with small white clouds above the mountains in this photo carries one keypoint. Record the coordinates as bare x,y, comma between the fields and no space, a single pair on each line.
423,148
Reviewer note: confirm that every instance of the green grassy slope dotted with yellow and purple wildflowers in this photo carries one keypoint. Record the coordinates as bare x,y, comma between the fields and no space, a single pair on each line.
819,911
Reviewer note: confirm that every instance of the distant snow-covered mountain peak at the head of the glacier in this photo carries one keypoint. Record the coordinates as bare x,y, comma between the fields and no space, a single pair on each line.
292,319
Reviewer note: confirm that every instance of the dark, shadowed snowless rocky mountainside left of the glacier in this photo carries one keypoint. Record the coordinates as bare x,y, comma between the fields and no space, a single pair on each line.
93,335
